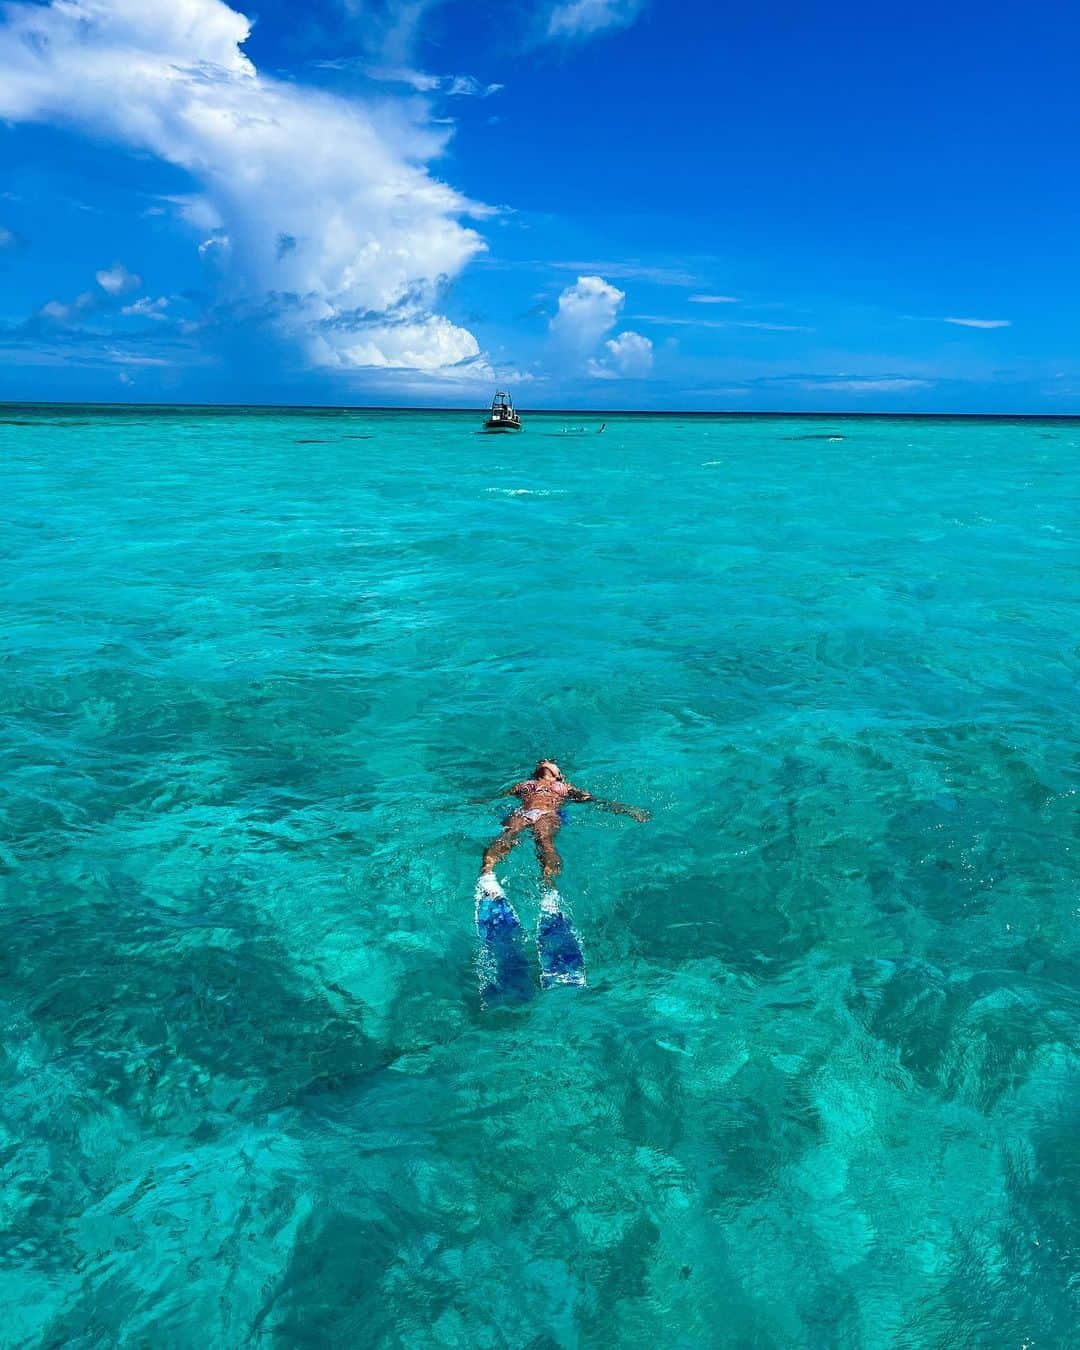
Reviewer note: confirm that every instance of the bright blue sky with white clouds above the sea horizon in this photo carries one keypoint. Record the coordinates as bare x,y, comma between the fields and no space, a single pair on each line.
599,203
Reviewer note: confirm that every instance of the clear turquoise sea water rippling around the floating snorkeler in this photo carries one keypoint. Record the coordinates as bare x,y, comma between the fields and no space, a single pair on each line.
823,1087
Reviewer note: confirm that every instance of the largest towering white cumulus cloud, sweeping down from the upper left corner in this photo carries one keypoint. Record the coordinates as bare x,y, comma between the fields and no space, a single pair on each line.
334,221
